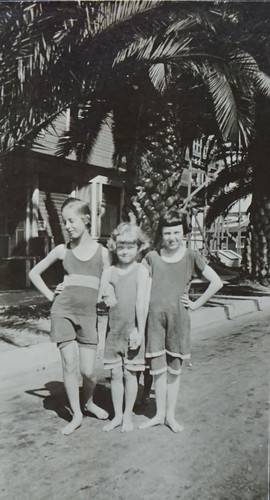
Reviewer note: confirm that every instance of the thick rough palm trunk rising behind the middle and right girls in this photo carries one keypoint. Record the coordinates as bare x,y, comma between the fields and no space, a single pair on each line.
153,184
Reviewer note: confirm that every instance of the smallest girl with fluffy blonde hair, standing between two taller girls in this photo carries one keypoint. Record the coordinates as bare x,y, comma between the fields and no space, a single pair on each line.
124,289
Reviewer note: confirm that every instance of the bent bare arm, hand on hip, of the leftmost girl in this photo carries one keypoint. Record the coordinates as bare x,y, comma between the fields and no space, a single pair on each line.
35,274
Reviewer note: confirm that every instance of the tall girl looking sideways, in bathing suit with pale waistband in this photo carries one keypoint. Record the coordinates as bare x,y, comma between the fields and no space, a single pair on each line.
73,315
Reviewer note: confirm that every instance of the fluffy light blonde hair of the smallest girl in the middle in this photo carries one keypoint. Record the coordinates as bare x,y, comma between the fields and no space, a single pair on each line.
132,232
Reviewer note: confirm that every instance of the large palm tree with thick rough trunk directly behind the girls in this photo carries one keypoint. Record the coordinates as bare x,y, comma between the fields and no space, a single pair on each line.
186,79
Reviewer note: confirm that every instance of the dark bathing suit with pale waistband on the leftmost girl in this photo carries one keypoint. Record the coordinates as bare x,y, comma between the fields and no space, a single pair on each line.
73,314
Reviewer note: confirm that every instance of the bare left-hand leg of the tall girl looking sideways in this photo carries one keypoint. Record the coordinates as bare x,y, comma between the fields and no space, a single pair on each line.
69,356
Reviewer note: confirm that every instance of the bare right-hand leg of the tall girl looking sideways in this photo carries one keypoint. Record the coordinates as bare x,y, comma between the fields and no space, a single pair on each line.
87,366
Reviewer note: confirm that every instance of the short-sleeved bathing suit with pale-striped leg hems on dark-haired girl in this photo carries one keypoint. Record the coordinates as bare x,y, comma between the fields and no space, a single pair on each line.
168,324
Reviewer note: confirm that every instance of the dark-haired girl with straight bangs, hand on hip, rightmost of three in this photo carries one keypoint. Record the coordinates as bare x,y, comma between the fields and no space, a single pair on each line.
168,326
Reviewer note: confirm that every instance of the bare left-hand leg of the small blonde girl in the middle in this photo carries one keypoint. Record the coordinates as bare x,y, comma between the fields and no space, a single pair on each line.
117,390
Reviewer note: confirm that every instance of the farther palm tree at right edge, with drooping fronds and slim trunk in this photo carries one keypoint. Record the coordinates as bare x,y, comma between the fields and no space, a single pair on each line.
249,175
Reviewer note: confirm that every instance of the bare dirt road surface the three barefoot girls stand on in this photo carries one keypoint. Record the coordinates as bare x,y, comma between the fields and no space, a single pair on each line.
222,454
